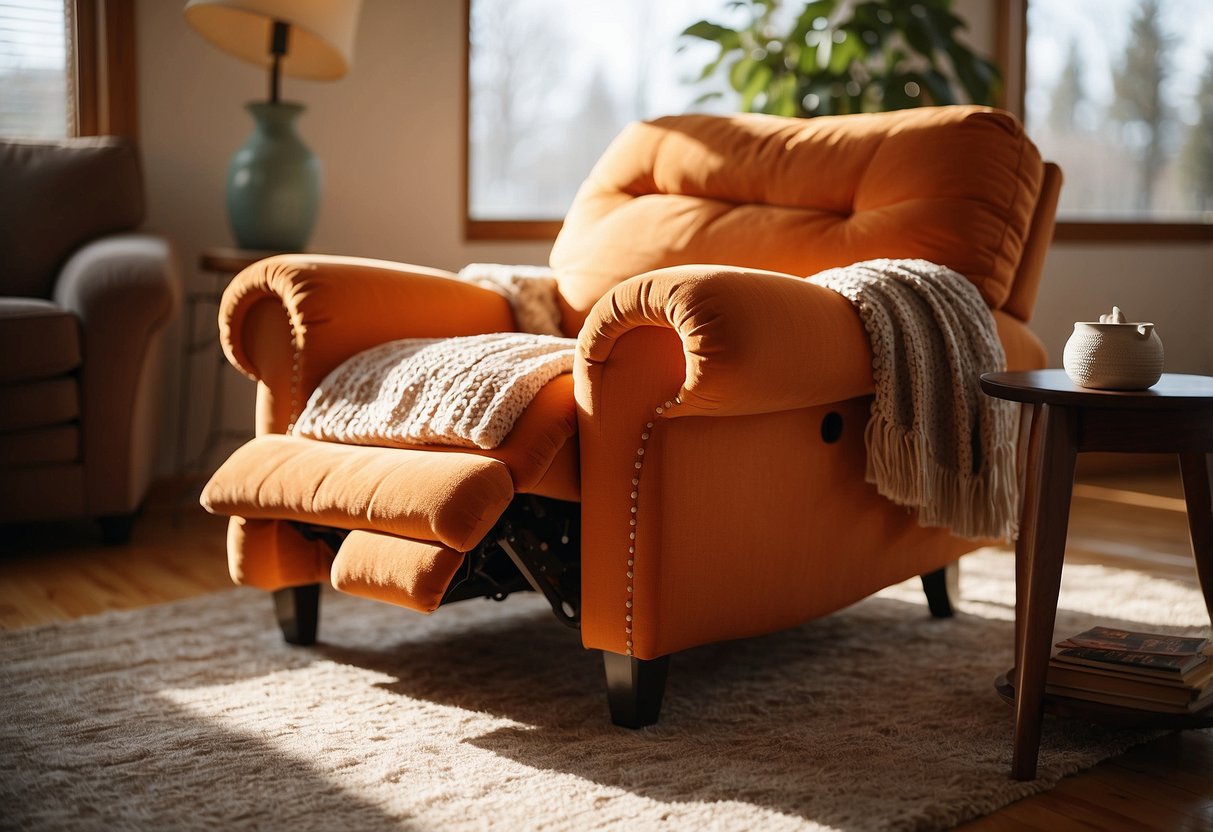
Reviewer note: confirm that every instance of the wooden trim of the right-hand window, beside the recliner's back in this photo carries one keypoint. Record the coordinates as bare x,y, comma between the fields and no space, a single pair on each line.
1012,56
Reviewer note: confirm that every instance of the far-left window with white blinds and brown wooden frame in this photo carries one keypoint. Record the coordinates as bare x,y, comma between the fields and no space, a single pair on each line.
67,69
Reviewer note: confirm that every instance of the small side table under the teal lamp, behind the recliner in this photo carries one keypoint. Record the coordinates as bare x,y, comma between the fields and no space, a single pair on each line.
221,265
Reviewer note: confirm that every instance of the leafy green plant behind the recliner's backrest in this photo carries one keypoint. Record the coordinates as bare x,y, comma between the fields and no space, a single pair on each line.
846,56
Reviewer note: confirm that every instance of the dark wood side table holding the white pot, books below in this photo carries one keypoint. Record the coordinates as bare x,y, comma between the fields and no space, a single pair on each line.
1175,417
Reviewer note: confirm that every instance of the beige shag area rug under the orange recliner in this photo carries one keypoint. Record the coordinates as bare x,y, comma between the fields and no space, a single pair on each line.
197,716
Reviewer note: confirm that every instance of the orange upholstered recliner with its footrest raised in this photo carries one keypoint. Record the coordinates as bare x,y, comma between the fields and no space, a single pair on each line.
701,475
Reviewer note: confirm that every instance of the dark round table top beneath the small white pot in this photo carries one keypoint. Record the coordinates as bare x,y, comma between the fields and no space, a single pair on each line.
1053,387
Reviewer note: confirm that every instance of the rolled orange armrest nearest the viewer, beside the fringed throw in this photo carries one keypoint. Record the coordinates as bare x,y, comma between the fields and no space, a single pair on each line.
753,341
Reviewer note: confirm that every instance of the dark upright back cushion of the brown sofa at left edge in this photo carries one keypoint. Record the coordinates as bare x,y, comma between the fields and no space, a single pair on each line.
56,196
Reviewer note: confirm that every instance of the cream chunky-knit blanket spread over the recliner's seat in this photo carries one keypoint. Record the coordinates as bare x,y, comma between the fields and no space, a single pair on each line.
465,392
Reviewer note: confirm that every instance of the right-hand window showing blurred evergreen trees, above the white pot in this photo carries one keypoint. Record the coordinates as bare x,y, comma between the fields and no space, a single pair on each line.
1120,94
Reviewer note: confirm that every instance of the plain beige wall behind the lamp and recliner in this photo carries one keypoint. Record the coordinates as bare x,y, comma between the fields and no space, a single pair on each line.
390,138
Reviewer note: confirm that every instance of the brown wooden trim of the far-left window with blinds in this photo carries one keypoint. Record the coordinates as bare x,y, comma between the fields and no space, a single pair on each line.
105,69
